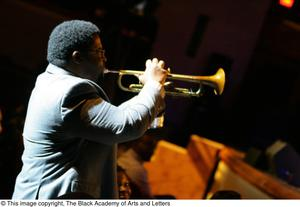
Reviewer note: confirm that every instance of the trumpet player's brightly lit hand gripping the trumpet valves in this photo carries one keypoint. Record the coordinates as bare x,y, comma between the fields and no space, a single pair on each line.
154,71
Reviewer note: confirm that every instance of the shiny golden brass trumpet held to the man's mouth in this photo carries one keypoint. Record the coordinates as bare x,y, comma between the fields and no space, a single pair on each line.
216,81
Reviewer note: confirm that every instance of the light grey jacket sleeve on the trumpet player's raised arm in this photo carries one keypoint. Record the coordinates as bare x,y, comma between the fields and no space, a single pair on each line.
88,116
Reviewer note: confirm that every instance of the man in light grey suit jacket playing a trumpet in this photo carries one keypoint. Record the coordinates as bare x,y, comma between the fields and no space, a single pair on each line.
71,130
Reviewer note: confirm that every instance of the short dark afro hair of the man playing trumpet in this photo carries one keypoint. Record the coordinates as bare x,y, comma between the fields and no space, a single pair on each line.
67,37
